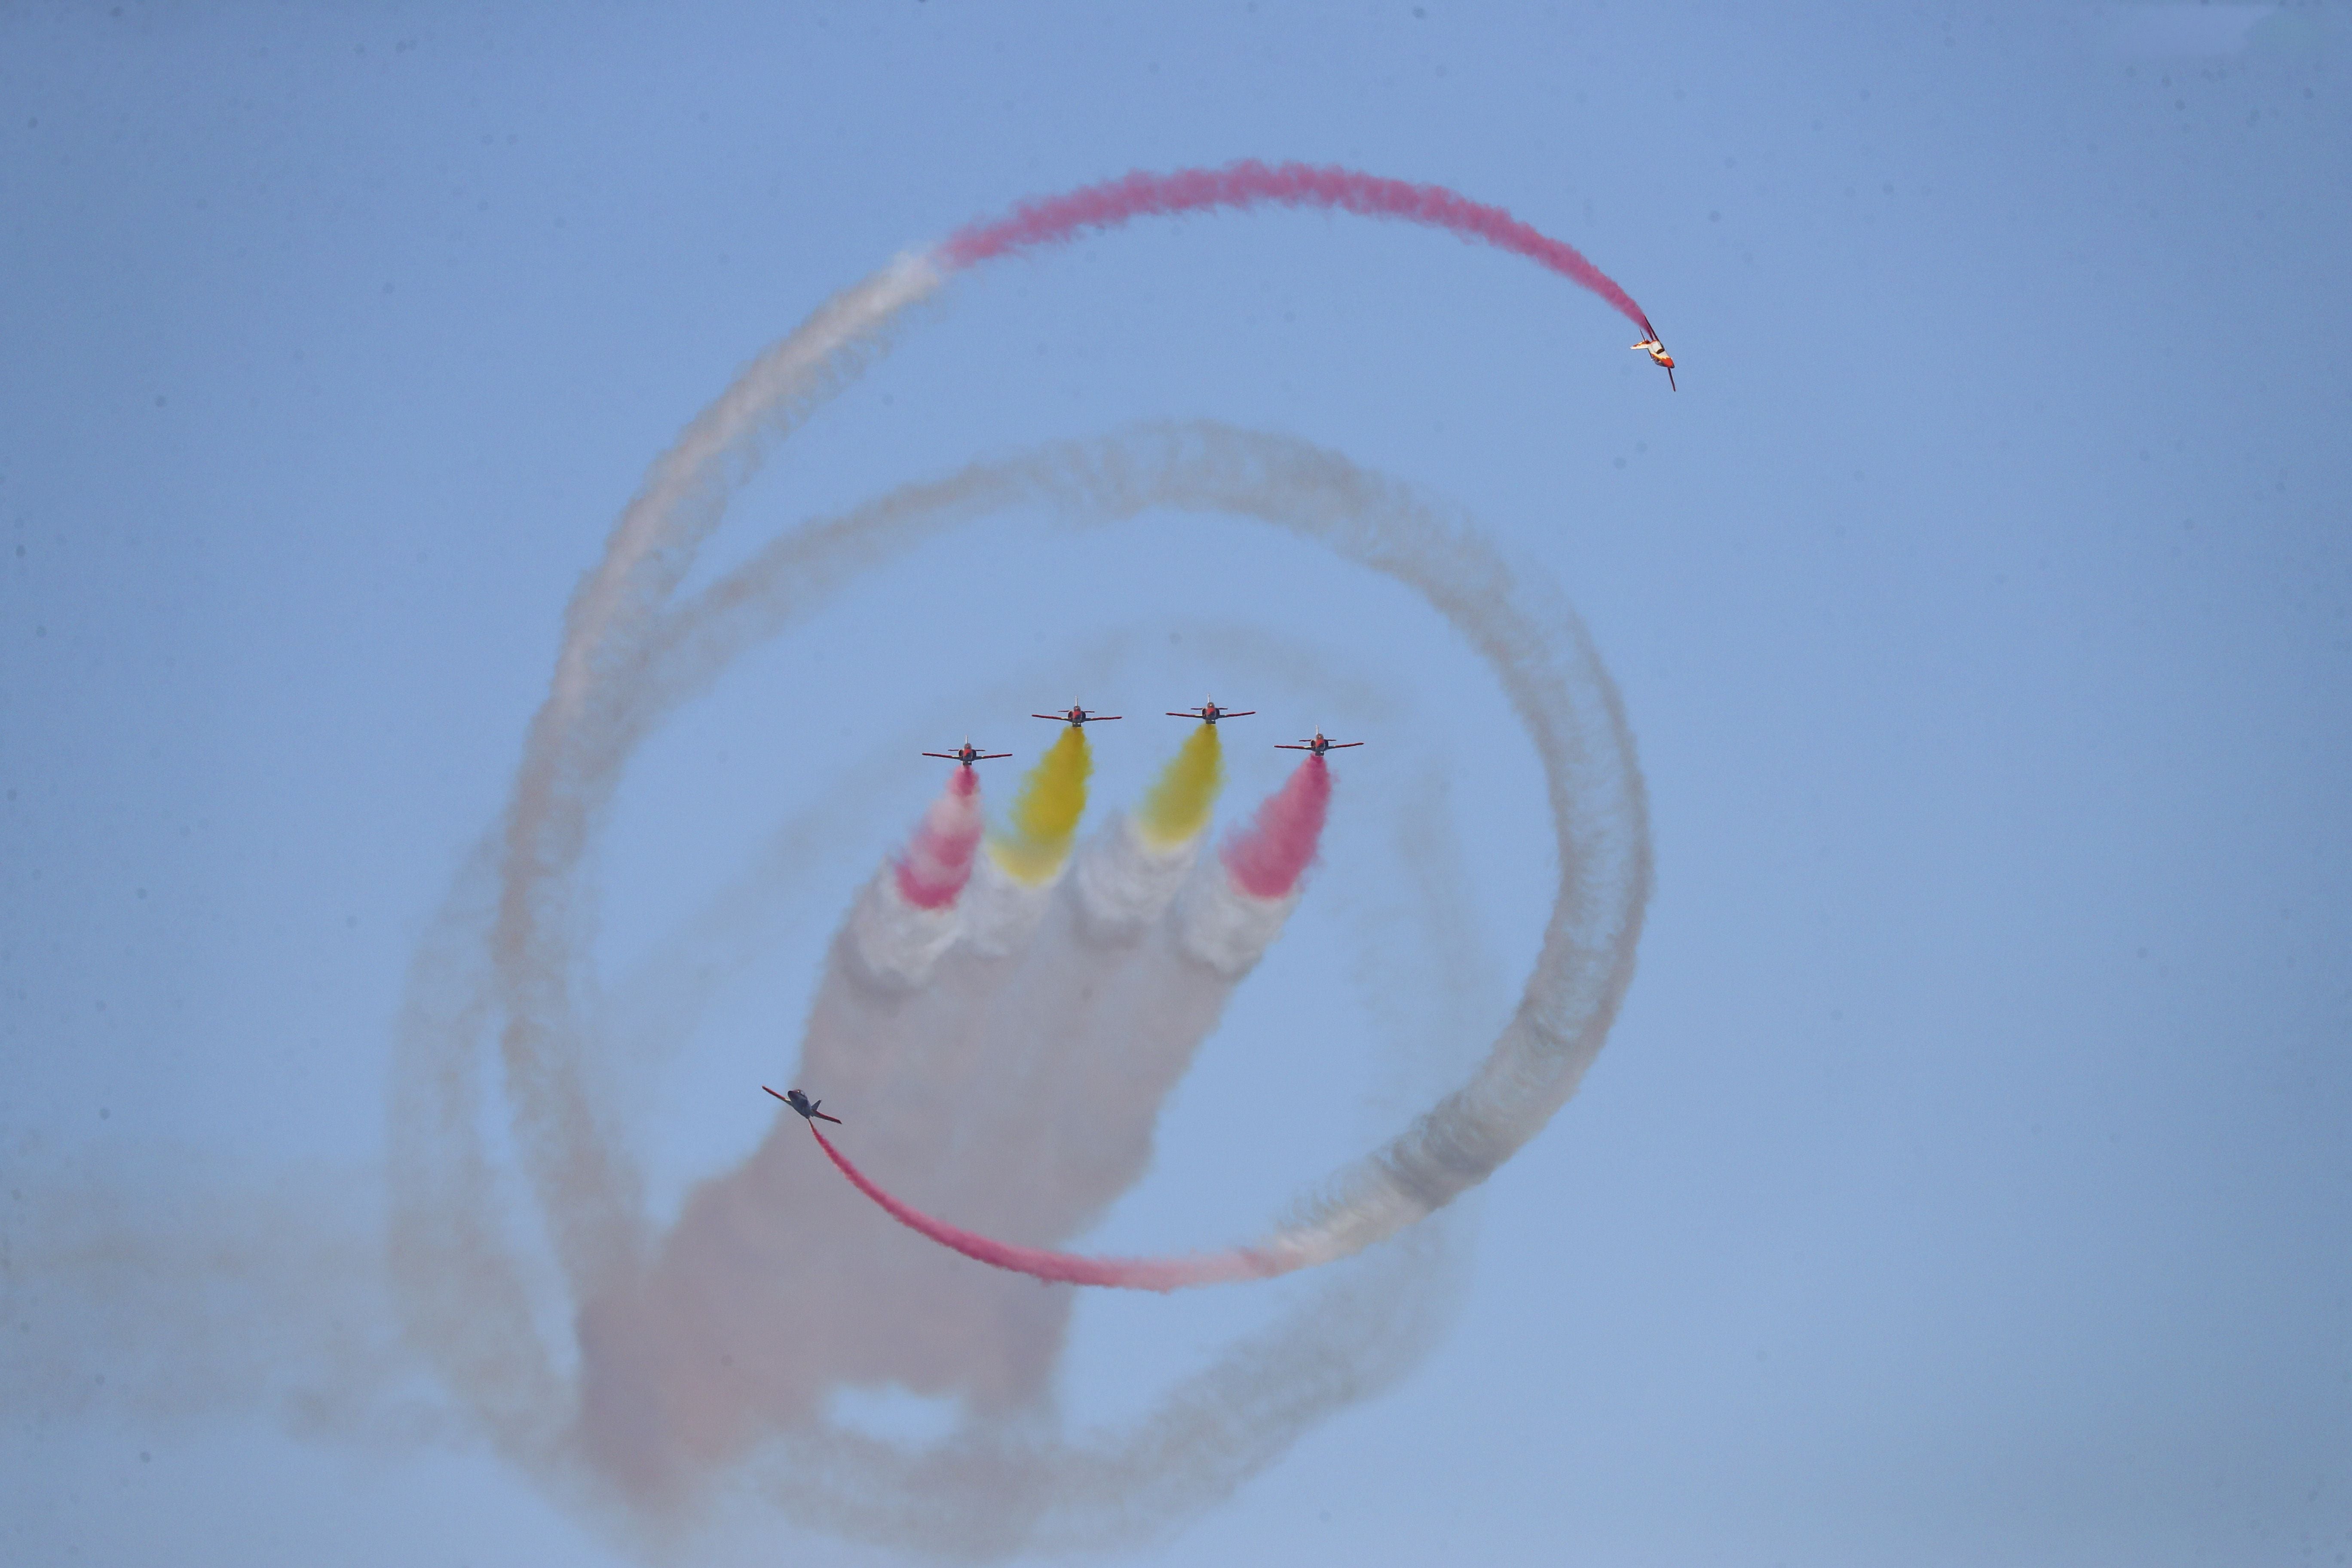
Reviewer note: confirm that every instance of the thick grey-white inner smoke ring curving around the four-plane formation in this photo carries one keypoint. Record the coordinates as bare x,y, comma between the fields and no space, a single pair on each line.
1537,648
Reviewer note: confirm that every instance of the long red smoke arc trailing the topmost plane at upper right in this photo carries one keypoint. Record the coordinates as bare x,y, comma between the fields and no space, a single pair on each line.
1292,185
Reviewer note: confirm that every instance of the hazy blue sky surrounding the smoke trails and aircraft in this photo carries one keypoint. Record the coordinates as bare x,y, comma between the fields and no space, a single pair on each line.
1970,1174
